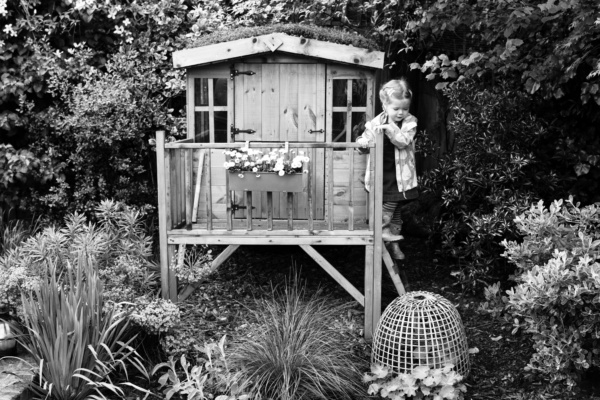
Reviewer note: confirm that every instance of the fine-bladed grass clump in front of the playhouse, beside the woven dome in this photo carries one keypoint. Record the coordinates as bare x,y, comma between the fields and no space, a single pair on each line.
293,351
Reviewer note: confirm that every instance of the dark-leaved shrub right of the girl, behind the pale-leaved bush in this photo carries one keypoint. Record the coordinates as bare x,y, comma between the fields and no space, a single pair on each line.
492,173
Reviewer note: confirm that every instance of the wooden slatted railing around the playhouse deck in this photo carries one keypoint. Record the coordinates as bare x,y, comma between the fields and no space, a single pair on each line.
179,188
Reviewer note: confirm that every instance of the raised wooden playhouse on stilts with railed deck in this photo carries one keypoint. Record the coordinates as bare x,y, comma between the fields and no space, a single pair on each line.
268,92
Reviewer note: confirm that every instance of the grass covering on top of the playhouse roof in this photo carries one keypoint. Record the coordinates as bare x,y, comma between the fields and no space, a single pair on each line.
307,31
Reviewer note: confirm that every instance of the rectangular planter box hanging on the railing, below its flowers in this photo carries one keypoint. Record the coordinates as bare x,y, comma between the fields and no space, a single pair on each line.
267,182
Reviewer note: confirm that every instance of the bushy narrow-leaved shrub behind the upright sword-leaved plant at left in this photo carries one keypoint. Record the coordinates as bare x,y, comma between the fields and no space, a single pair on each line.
120,250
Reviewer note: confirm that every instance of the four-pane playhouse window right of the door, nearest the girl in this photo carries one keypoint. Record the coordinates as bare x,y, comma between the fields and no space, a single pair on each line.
349,109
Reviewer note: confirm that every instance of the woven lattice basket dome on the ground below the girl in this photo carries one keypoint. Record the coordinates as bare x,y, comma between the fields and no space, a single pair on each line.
420,328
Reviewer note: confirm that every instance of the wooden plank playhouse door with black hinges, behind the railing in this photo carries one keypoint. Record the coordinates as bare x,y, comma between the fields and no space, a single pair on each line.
278,103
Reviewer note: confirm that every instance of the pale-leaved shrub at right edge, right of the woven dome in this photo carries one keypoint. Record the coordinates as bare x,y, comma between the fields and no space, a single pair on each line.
557,296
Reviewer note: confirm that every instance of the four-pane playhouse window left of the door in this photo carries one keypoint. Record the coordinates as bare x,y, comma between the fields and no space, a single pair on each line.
210,110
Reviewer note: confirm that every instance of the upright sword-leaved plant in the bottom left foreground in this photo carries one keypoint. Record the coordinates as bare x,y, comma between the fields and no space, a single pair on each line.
76,345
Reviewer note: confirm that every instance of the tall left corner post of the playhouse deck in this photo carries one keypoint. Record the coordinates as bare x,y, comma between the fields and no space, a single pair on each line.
167,277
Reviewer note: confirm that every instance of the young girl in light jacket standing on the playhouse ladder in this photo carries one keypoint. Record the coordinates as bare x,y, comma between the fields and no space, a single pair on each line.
398,127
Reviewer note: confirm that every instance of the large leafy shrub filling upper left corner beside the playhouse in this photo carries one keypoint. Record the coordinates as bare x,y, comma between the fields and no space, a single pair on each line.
85,96
